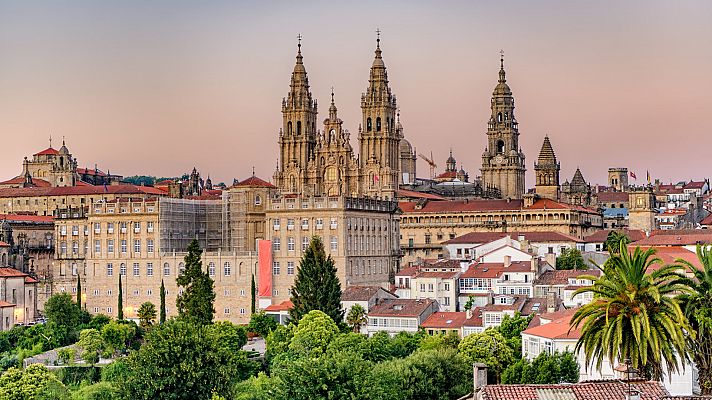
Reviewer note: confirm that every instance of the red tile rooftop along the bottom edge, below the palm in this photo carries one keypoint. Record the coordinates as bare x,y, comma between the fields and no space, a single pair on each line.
592,390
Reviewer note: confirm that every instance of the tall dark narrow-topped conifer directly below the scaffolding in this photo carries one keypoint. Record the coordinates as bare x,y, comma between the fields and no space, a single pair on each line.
196,304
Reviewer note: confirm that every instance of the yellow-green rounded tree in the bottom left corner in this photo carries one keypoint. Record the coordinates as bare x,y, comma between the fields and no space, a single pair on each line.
35,382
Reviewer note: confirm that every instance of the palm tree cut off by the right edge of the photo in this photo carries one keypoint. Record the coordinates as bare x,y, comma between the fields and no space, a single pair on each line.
697,306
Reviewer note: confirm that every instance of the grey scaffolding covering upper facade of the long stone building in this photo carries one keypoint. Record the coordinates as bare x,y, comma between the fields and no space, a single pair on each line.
182,220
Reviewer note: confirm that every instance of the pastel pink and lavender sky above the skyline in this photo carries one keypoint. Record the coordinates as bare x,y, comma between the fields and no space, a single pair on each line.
157,87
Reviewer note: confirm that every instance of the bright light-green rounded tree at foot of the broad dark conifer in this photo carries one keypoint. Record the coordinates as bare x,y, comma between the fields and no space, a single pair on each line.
313,334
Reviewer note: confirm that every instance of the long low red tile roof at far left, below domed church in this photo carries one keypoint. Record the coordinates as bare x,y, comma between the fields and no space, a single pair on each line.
79,191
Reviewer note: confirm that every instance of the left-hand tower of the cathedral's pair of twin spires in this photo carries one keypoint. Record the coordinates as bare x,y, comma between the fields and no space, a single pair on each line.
297,138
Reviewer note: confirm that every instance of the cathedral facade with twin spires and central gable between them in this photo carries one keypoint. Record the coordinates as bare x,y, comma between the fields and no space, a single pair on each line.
322,162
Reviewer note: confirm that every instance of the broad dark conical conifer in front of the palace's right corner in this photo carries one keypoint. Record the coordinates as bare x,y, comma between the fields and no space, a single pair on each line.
316,287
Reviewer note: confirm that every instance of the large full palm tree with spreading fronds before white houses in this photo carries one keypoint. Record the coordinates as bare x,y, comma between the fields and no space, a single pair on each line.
633,315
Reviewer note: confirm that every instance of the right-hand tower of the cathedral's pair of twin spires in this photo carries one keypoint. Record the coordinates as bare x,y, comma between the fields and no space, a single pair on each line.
379,137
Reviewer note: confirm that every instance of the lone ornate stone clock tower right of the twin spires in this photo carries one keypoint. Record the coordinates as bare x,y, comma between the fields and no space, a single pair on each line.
503,161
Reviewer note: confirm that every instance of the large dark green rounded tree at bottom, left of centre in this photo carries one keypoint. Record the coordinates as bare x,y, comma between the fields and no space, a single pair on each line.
181,360
